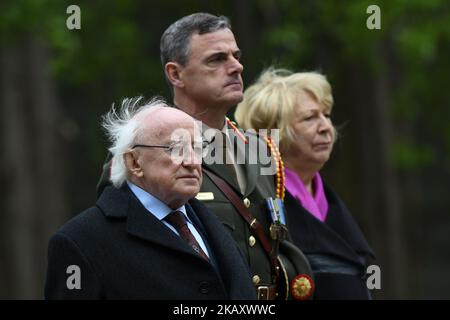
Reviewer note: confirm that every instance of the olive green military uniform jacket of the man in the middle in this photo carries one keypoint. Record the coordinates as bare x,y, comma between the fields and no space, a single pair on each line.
260,173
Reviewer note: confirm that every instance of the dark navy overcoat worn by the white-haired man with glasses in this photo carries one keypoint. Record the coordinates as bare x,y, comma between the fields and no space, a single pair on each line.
124,252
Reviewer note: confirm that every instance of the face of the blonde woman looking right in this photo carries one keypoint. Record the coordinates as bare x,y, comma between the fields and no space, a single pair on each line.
313,131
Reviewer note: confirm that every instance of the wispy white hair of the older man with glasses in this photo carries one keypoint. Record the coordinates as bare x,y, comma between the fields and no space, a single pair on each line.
122,128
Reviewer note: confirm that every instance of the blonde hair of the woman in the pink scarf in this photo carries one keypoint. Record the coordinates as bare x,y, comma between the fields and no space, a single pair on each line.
270,102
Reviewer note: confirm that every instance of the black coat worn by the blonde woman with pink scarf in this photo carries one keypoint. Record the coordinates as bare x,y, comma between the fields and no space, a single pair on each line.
338,240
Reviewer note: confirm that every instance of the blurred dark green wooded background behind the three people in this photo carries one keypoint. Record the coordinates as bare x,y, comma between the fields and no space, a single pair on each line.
391,164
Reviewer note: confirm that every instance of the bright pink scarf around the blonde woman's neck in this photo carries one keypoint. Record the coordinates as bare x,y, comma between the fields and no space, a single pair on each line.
317,205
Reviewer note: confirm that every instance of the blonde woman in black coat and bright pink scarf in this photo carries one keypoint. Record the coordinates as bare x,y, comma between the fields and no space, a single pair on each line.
300,105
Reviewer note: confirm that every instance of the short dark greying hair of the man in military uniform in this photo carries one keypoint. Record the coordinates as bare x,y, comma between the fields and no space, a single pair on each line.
174,44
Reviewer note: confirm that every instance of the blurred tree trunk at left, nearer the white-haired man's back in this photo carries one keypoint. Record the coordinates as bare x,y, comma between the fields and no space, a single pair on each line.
49,158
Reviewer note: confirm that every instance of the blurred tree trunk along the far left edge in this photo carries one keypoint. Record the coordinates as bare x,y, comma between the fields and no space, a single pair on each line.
20,201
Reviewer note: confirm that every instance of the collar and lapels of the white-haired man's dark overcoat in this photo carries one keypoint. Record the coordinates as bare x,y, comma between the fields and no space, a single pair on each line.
121,204
